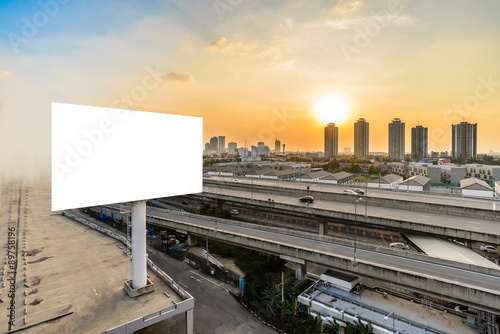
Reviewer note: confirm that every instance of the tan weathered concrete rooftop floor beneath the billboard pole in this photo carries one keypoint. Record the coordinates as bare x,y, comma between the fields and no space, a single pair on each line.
66,267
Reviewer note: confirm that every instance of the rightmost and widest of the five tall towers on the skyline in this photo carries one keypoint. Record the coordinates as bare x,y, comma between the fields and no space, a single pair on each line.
464,140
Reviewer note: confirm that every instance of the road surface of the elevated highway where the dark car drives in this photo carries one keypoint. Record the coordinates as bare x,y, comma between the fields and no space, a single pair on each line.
455,222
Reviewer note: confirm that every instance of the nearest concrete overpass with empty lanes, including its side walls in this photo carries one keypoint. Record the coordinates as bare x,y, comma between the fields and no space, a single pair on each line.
478,287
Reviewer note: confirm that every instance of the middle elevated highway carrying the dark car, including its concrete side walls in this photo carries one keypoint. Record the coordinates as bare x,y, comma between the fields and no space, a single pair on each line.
327,207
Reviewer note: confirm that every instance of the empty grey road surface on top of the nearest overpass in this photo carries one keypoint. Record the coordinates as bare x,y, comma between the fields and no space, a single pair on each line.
403,264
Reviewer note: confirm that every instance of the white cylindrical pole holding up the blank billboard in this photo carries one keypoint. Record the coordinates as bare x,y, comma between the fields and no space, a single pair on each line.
139,278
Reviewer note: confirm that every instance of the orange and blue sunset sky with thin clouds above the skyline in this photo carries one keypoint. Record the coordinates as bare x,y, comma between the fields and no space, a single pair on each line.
254,70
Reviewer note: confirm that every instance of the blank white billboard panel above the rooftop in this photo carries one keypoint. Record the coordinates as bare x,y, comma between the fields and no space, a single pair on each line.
103,155
